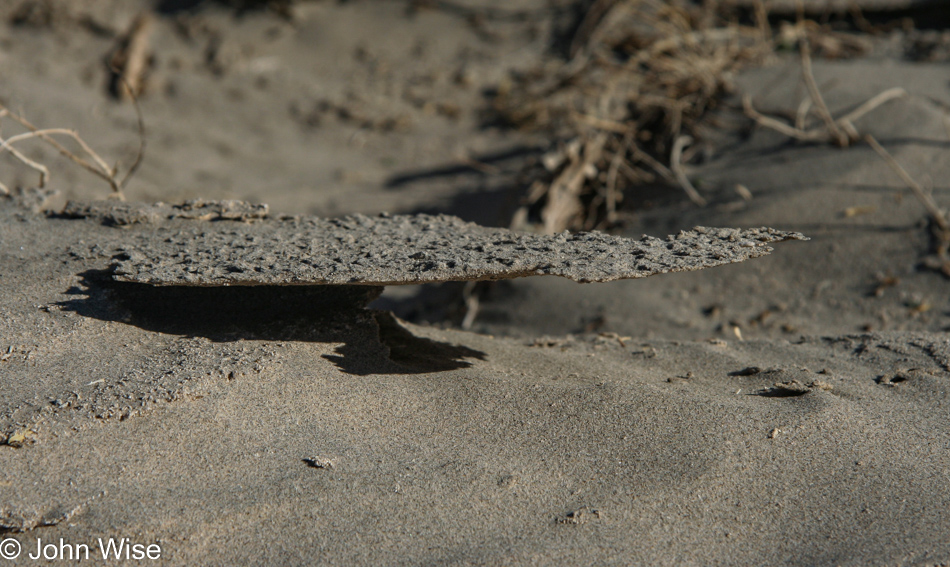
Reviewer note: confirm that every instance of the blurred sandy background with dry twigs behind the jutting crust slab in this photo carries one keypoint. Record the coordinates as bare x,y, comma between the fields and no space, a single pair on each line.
627,116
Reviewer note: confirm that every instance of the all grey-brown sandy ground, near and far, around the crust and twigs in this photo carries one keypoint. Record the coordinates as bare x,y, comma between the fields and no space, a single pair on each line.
787,410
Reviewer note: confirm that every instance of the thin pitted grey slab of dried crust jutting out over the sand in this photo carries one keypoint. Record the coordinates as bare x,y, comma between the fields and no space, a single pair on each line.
396,250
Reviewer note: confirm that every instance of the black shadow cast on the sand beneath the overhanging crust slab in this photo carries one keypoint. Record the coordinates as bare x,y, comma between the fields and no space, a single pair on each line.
373,341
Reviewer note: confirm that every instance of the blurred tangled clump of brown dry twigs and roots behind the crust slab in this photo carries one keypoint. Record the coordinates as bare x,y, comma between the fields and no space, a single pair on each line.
642,75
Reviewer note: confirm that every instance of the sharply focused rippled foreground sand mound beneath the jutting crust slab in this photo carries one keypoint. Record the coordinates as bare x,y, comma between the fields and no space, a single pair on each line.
305,438
